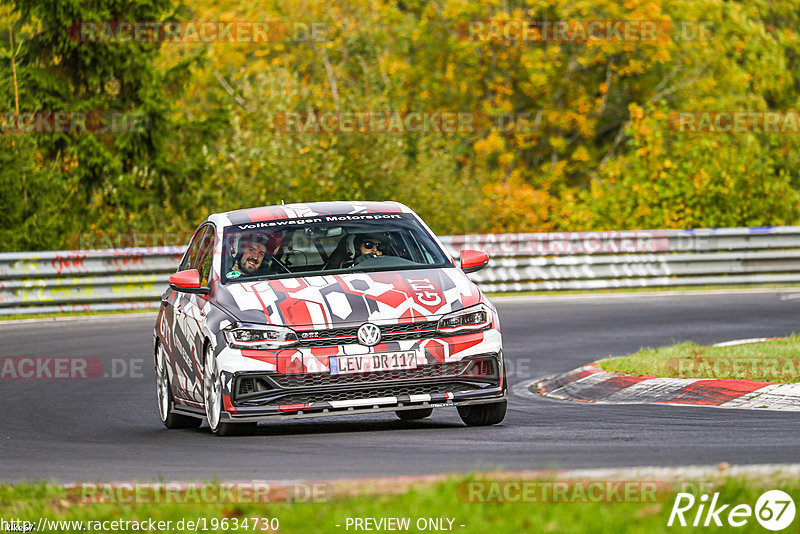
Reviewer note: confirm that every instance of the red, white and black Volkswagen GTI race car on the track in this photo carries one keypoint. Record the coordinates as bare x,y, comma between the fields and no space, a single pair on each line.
321,309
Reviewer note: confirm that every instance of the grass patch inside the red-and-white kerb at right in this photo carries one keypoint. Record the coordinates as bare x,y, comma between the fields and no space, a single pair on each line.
771,361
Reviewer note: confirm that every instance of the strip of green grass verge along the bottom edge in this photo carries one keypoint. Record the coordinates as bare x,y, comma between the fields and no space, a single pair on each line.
532,505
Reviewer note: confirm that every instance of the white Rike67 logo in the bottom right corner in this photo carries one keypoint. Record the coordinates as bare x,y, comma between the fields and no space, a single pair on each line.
774,510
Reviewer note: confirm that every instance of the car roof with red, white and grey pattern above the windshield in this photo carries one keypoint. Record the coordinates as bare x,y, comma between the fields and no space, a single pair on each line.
310,209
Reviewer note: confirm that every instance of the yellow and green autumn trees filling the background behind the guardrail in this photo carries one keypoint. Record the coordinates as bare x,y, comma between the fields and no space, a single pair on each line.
570,133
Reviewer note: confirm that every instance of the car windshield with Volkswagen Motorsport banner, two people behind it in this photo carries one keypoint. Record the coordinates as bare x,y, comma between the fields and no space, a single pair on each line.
328,244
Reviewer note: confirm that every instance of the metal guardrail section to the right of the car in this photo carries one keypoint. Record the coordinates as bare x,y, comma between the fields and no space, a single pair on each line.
640,258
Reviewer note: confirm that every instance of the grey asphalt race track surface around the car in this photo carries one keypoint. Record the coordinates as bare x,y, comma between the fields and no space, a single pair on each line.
107,429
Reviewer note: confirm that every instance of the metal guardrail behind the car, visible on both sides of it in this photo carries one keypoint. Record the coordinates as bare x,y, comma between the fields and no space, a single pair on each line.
114,279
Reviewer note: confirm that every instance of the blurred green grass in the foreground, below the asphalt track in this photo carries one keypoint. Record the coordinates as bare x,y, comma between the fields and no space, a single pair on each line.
445,499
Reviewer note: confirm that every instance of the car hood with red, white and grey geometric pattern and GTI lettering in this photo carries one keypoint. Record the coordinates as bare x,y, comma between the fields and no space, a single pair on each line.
319,302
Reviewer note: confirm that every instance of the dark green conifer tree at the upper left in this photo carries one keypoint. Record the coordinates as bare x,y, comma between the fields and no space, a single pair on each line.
131,178
